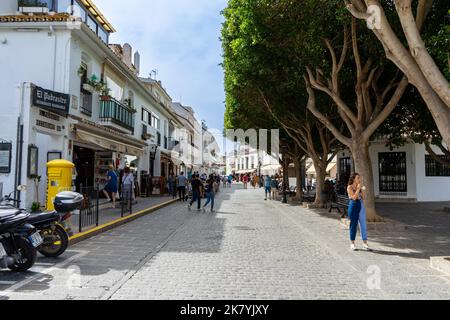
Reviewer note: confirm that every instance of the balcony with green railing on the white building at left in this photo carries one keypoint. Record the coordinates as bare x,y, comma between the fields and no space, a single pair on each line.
117,115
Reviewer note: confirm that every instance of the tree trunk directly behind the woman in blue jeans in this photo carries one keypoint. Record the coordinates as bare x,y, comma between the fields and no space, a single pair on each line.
363,166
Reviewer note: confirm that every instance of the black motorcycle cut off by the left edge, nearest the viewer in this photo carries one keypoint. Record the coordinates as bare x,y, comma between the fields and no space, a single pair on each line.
18,240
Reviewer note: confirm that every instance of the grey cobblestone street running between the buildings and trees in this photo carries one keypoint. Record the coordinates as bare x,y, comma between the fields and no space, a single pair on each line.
249,249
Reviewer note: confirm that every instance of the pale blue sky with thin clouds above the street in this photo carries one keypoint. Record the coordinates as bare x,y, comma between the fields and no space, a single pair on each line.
179,38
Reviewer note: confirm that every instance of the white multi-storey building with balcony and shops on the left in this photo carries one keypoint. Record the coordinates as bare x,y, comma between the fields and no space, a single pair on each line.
68,93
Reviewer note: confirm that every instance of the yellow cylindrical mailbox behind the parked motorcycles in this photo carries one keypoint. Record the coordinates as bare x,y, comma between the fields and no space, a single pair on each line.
59,173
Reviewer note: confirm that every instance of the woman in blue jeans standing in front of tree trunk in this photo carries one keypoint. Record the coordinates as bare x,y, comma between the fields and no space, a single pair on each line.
357,211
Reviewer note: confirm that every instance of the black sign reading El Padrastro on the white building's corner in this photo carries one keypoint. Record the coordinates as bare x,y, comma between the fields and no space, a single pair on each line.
55,102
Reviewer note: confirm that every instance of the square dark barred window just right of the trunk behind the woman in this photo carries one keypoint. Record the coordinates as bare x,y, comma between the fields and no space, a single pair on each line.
392,170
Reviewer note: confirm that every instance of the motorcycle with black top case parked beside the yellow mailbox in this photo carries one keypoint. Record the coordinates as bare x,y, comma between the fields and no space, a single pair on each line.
54,235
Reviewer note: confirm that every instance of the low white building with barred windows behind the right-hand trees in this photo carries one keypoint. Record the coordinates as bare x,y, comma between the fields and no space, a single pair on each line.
406,173
